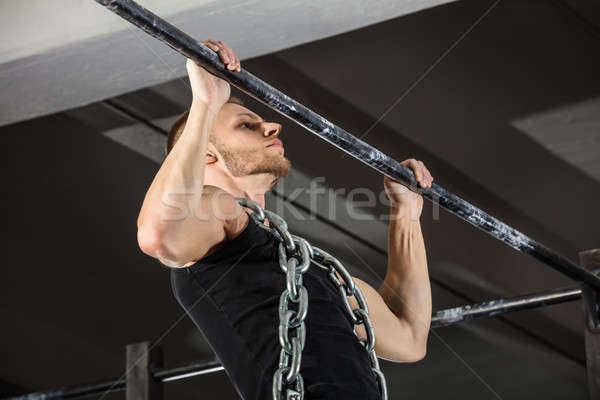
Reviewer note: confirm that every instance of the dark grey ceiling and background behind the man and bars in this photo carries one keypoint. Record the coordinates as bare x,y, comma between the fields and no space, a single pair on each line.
76,289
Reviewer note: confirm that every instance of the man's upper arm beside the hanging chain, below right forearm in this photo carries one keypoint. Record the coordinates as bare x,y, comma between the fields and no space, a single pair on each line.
393,336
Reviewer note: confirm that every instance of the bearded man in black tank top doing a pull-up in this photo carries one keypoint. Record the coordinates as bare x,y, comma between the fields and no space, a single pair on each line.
225,271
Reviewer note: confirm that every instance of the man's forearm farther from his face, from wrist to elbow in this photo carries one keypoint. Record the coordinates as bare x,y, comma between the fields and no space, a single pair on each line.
406,288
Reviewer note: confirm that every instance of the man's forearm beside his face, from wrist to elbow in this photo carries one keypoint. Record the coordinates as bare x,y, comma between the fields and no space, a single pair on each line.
180,179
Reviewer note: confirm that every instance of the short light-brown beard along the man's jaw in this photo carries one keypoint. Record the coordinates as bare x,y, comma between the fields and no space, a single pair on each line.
244,162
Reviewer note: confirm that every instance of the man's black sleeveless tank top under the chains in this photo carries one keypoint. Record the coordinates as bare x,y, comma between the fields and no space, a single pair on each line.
232,295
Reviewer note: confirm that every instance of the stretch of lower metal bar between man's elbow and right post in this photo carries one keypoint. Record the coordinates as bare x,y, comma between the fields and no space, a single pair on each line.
493,308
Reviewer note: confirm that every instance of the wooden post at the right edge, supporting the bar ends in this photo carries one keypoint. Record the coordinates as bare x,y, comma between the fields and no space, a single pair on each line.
590,260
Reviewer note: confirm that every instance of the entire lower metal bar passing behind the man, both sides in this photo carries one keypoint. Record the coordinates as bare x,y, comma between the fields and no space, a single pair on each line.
440,318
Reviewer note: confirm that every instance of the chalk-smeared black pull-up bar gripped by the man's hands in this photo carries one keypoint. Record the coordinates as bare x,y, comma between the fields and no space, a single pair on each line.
280,102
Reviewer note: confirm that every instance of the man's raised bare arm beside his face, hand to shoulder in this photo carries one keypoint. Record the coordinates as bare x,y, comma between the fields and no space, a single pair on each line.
177,222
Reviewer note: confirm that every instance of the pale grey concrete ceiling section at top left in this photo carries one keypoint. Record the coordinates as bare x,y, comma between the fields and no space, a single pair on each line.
65,54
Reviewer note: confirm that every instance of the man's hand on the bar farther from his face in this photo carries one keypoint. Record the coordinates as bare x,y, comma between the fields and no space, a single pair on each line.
408,203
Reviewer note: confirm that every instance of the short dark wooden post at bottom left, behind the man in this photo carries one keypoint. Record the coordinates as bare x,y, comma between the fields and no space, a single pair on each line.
142,360
